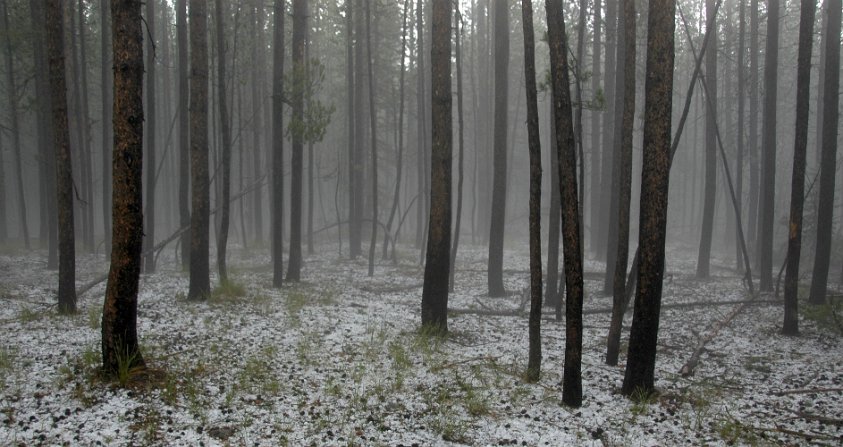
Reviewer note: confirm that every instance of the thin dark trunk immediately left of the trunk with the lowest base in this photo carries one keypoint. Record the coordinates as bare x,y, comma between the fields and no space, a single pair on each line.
535,358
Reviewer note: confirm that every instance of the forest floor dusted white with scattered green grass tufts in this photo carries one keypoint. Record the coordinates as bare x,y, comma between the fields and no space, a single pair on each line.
338,360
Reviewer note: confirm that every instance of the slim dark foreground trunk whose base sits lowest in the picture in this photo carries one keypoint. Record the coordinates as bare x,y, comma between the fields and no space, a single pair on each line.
572,380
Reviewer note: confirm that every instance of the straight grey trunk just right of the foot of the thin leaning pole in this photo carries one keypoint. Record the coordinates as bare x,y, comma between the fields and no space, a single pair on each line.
766,216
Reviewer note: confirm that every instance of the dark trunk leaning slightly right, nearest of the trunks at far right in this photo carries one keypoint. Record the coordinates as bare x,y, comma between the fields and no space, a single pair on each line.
800,146
